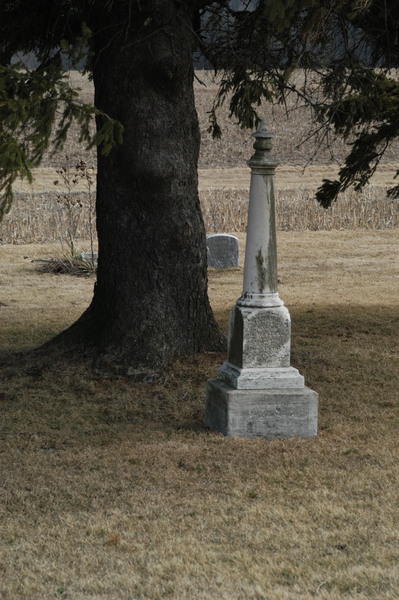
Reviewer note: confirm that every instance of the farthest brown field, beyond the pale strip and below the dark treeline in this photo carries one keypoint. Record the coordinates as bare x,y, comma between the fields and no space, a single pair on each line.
235,146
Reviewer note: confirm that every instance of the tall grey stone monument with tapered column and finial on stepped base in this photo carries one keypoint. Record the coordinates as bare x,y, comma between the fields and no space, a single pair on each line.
257,393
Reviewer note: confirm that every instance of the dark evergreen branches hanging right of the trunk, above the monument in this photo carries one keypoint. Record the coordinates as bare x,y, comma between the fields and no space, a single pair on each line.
352,47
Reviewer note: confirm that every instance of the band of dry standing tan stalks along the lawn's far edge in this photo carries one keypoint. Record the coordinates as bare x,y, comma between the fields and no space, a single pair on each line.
41,218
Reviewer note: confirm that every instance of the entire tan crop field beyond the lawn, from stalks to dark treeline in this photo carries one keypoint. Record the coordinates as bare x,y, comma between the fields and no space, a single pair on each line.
39,215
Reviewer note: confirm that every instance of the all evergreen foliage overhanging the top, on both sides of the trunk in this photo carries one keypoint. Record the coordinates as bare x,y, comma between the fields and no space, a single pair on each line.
256,45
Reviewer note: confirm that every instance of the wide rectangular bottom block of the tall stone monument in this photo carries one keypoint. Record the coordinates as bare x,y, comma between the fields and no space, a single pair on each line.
270,413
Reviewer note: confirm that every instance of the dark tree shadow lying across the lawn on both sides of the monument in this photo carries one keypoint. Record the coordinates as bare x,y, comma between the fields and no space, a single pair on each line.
349,355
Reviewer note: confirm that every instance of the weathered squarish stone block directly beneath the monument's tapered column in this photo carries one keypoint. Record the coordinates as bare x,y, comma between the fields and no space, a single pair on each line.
259,337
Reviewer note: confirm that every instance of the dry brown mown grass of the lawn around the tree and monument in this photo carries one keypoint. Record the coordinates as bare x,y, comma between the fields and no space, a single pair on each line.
113,490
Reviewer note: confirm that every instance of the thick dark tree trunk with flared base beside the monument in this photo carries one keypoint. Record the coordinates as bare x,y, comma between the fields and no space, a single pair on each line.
150,300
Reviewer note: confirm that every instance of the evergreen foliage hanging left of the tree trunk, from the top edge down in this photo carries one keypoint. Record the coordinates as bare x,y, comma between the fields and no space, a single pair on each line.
37,106
